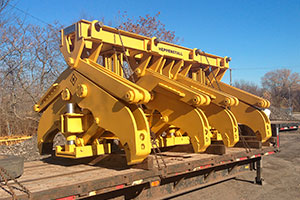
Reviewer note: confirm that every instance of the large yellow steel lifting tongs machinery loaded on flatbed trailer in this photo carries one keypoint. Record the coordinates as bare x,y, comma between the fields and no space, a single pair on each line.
143,92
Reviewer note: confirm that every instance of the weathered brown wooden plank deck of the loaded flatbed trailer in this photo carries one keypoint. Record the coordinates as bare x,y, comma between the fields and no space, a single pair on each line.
49,174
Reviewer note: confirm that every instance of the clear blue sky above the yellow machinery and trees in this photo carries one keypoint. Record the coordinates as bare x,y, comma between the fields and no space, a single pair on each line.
259,35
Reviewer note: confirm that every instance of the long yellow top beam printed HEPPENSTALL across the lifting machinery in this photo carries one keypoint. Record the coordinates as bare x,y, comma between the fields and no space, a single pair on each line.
91,31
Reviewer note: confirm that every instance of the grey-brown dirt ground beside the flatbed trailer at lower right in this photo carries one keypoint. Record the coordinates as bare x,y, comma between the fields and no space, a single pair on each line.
281,173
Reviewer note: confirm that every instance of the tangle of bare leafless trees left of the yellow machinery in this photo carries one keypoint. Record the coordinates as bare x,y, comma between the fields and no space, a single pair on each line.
30,62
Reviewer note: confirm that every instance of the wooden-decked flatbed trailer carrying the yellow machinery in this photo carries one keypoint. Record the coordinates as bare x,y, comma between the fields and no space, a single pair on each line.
105,178
